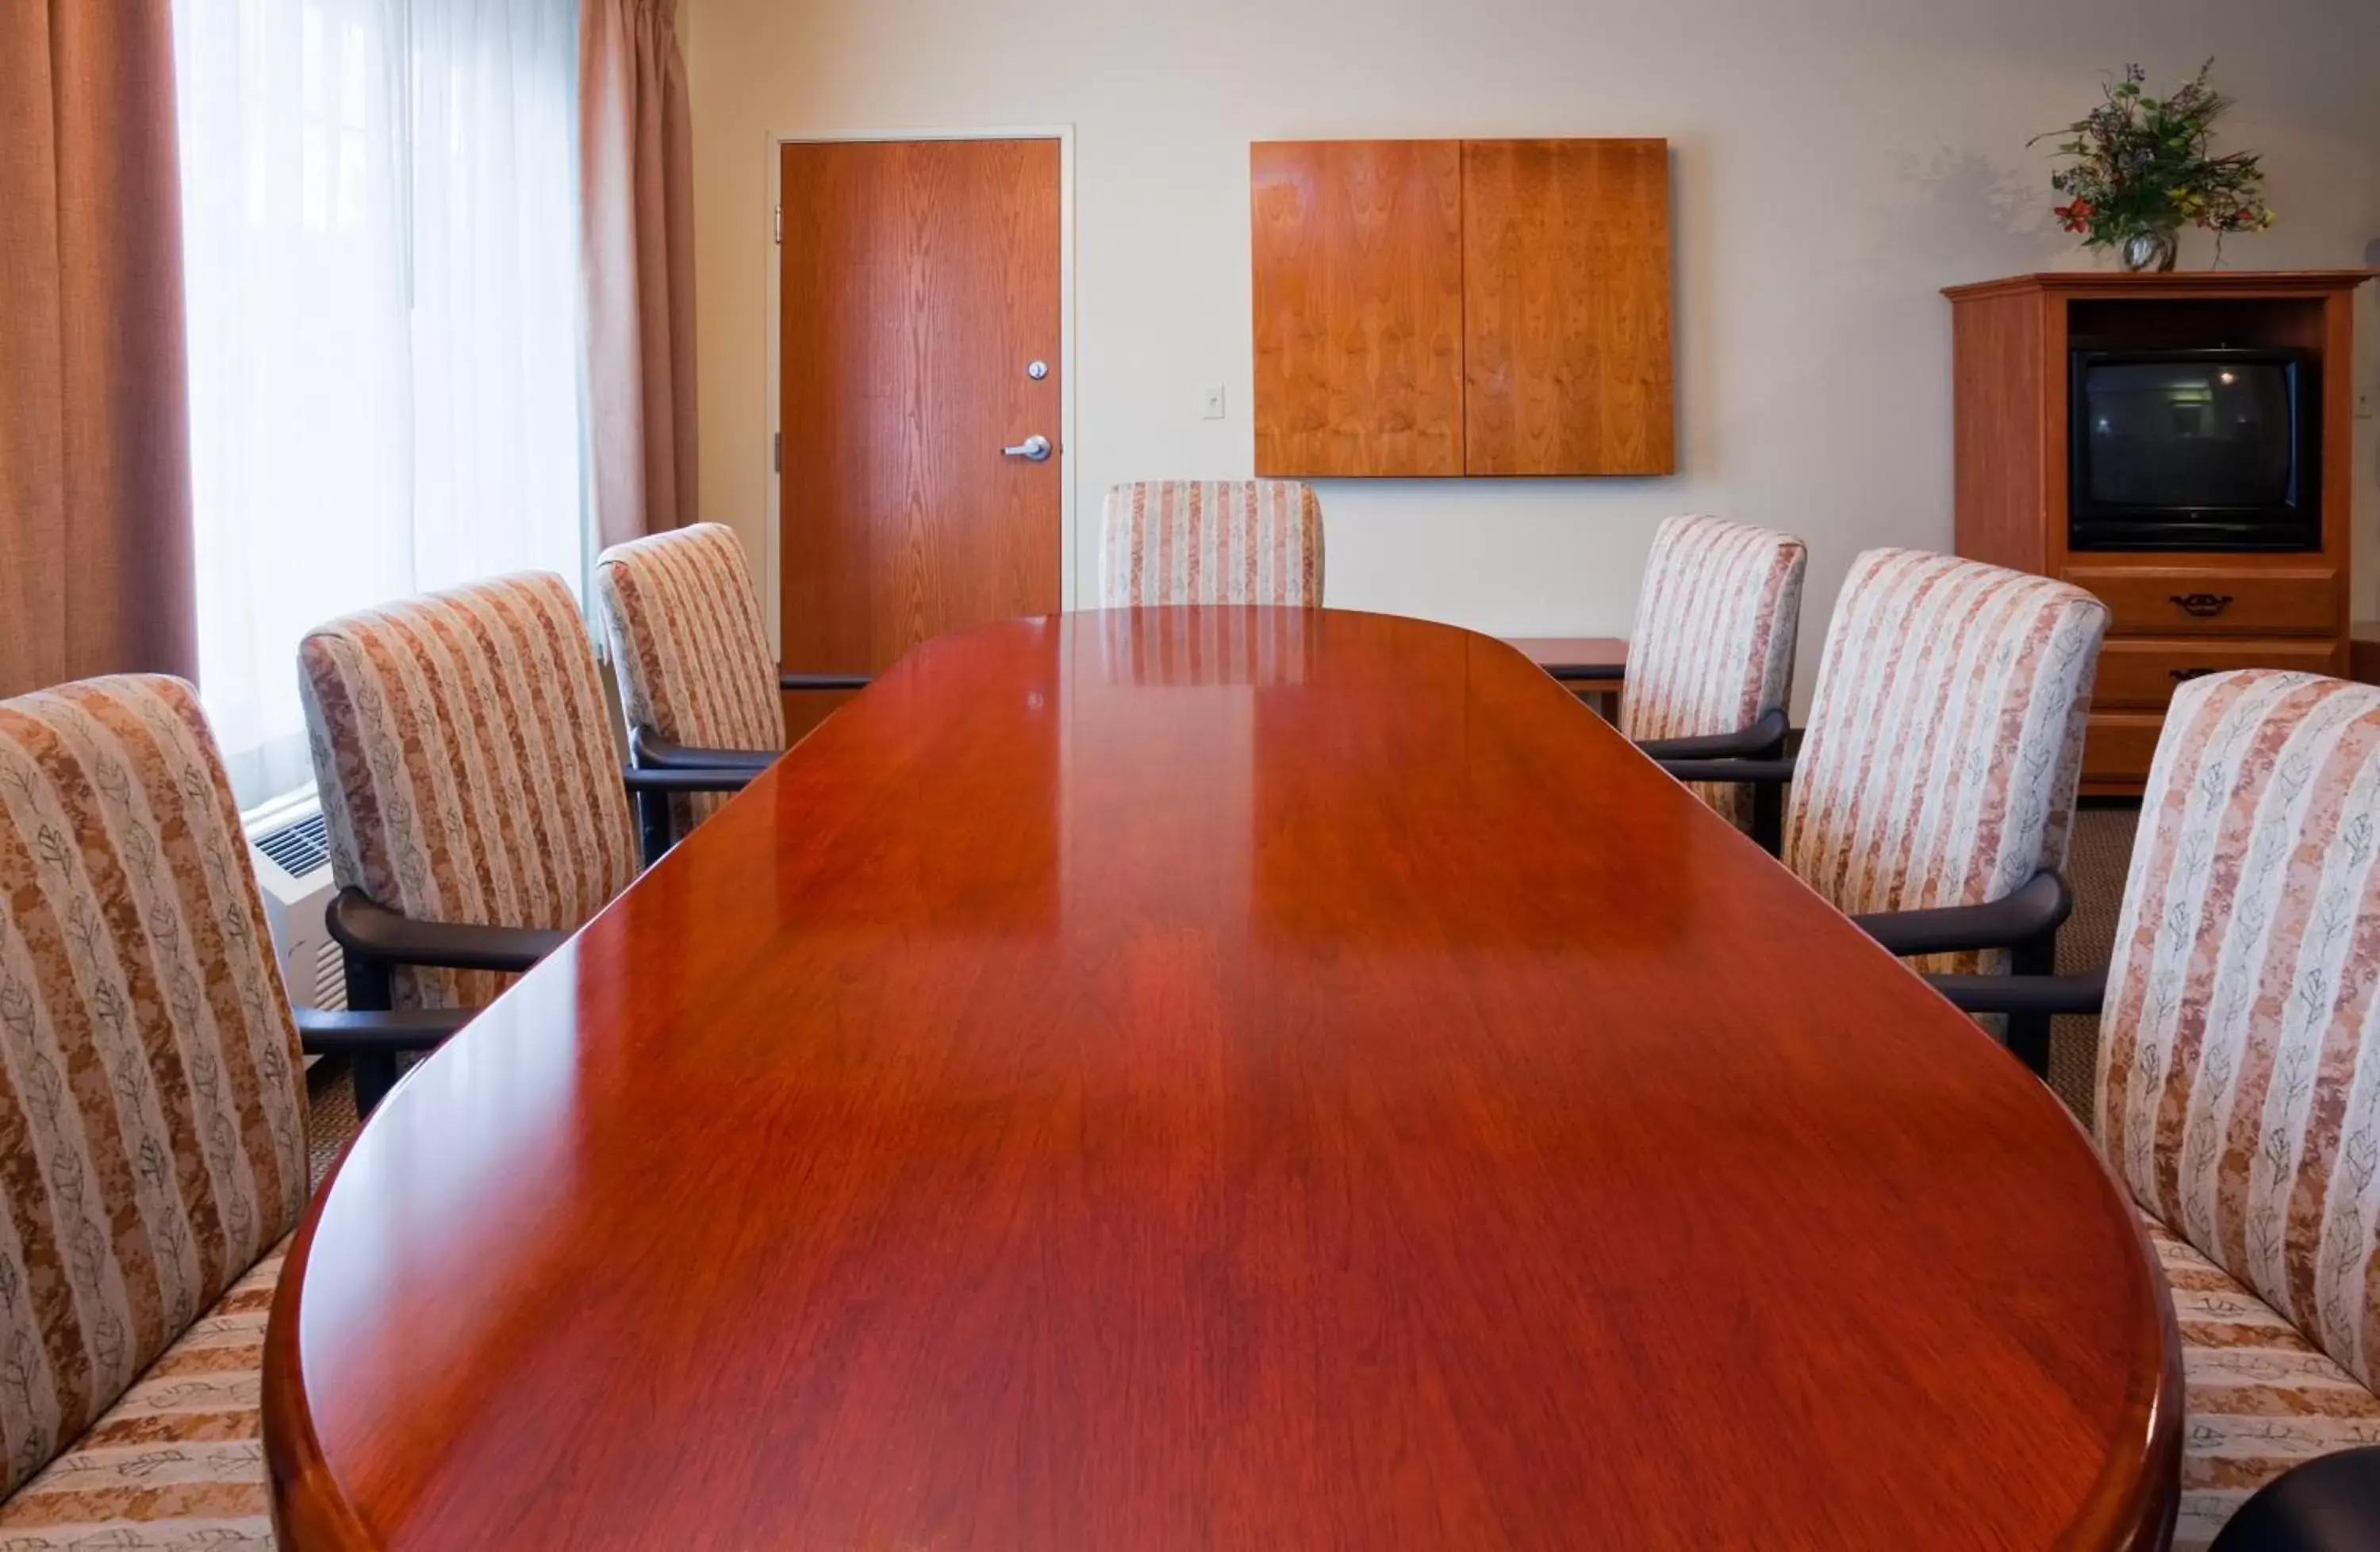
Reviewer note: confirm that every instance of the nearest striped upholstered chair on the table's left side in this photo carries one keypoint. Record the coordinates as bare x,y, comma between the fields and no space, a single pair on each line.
151,1127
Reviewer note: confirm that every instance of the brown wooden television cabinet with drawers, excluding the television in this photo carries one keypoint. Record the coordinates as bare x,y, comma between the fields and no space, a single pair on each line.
2177,615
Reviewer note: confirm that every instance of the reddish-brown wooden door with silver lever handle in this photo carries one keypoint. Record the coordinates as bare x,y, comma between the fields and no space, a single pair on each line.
920,287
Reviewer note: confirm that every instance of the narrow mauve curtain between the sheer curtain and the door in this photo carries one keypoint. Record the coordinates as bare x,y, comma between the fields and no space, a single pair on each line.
637,206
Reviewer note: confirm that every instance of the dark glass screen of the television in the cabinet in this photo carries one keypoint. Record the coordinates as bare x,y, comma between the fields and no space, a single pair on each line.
2188,434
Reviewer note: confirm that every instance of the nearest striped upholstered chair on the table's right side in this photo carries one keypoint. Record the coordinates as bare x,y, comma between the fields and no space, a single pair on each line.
2238,1089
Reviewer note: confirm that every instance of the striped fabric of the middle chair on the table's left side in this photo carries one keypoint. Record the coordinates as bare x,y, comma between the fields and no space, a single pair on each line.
468,765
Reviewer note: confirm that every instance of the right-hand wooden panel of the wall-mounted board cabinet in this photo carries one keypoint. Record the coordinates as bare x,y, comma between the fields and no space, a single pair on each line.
1567,339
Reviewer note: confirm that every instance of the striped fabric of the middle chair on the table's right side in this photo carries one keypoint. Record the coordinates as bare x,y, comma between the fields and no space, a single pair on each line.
1946,737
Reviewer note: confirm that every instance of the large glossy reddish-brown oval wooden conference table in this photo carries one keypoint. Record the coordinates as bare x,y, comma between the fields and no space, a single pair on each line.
1220,1079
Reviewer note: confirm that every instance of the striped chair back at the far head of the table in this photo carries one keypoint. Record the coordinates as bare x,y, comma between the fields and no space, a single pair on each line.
1253,542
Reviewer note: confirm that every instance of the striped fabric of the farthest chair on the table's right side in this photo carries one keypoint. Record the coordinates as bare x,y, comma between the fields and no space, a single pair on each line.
1715,637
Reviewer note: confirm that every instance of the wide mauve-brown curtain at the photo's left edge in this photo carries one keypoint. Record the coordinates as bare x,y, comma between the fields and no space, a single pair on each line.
94,413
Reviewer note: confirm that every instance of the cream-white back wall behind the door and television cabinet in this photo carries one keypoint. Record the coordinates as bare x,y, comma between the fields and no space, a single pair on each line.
1836,165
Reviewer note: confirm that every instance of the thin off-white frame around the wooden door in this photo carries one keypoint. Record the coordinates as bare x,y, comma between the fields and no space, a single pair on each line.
1065,346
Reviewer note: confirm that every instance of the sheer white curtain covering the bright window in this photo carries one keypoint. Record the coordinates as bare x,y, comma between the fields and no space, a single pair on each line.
382,268
